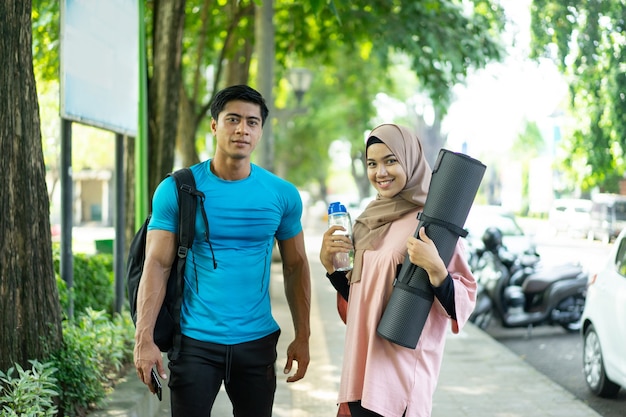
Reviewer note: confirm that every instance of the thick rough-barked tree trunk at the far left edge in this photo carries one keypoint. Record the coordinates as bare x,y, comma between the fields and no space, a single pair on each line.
30,312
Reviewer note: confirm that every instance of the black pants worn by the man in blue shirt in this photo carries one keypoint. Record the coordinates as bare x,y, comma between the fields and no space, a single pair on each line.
247,370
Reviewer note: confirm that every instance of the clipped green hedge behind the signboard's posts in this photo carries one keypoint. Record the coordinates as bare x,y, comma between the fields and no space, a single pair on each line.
93,284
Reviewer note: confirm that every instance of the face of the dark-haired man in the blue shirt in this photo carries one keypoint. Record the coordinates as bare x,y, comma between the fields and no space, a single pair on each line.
238,129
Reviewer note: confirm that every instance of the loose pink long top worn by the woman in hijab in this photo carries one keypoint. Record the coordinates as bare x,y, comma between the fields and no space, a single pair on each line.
387,378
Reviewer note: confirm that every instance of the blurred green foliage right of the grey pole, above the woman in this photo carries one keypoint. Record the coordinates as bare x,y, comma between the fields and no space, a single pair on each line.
441,40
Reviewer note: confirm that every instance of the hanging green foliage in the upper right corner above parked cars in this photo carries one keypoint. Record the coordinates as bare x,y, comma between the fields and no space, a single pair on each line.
587,39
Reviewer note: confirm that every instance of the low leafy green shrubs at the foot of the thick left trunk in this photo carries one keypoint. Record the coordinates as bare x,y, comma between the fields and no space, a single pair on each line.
96,351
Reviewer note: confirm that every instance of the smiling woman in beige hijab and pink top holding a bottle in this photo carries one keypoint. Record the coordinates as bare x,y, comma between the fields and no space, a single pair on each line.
380,378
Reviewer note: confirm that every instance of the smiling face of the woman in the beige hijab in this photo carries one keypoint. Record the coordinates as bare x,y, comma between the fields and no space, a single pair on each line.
384,170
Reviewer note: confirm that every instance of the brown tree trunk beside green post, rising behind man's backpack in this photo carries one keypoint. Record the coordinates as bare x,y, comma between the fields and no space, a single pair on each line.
164,88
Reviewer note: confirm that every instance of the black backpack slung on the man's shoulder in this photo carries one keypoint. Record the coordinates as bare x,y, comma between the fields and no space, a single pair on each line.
167,327
